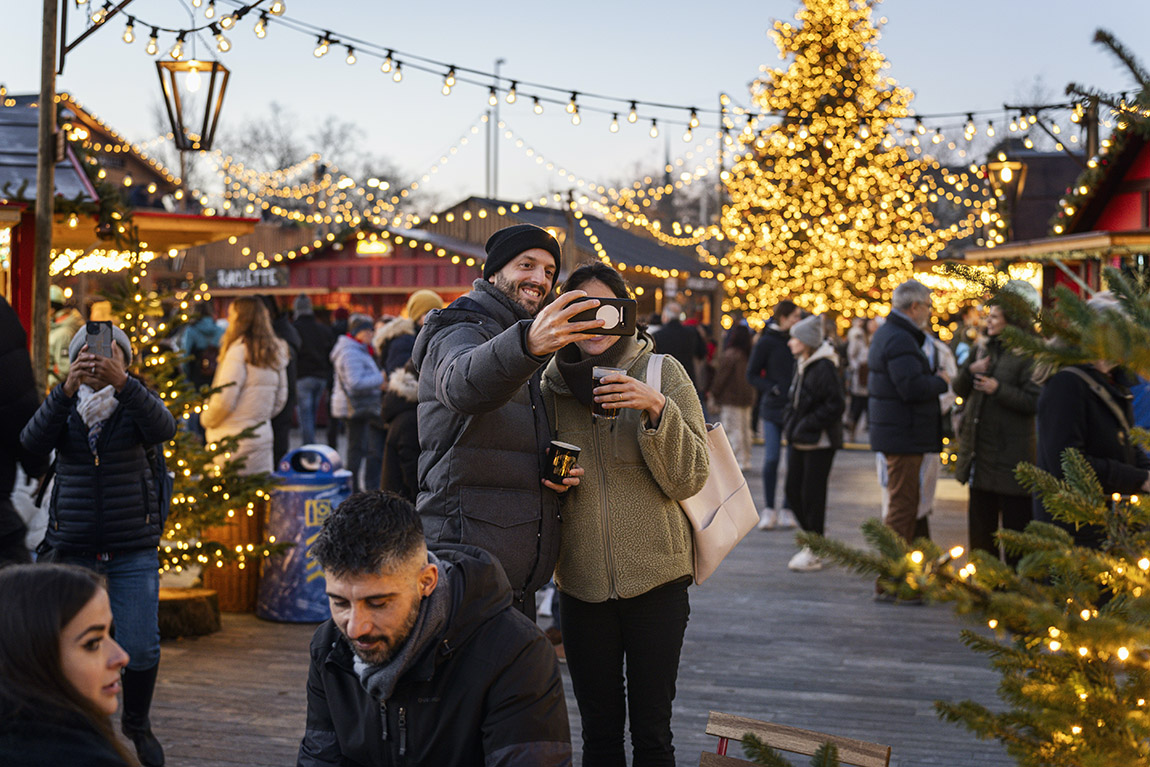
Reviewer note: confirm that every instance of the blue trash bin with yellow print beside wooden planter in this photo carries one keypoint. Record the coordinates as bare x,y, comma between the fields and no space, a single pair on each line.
312,484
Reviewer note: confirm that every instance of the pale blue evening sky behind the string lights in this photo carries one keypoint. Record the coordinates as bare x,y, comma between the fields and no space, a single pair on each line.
956,57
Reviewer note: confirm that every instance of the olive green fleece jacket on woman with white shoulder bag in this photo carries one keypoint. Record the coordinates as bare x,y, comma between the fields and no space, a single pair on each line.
623,531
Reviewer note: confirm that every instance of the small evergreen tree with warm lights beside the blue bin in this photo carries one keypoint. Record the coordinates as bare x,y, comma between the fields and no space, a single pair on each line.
210,490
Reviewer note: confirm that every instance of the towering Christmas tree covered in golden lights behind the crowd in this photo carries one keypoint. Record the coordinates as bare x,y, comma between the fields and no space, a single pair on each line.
826,205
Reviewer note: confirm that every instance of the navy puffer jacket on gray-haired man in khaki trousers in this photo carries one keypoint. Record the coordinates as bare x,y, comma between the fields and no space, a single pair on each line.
903,409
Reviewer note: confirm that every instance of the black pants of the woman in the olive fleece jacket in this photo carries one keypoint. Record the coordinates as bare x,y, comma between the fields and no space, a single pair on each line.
643,634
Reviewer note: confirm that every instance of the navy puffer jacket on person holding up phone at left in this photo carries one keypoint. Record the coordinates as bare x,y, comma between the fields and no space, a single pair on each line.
105,502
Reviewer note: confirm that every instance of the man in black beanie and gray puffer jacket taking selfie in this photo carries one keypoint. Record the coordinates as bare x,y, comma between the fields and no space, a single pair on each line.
484,429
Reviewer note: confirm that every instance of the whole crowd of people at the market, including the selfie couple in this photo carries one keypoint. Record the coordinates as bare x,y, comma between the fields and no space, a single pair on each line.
447,417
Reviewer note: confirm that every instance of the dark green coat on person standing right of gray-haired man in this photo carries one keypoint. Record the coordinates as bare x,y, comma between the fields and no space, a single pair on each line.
998,432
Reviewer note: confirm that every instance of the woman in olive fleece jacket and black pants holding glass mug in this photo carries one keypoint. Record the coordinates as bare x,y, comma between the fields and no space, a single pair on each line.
625,554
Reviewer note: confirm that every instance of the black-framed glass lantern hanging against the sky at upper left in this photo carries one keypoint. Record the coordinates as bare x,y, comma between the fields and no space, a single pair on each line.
179,81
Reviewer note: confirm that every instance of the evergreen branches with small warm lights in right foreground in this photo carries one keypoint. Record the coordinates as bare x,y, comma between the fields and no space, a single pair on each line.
1070,626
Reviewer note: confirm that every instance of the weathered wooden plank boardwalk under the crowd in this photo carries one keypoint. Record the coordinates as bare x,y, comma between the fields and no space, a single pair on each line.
811,650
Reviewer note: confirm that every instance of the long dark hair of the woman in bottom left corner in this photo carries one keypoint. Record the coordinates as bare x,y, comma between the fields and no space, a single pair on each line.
36,603
